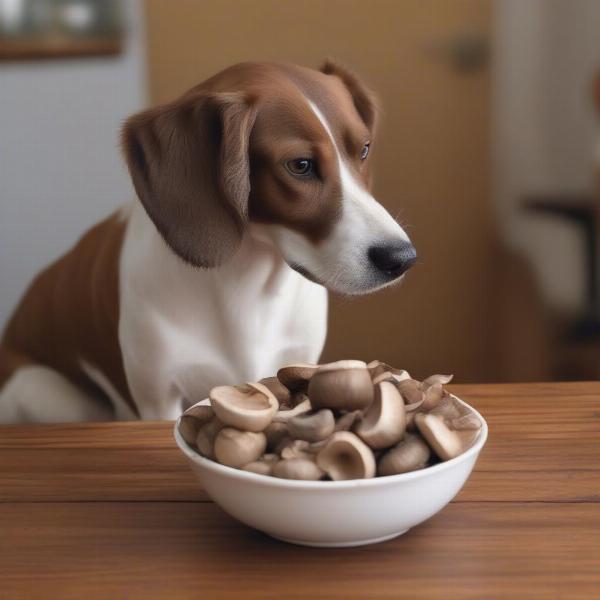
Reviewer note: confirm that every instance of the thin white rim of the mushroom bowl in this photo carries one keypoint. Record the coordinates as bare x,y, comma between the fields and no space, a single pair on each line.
270,481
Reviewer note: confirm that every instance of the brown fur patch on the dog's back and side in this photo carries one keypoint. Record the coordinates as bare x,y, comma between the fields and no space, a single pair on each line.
70,313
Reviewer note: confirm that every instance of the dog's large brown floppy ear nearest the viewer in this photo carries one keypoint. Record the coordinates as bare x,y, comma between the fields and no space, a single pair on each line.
190,168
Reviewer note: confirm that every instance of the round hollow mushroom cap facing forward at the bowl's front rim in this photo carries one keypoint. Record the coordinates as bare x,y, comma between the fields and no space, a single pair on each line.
346,456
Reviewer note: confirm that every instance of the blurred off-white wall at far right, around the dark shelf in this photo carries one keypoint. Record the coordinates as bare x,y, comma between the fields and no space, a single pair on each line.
545,128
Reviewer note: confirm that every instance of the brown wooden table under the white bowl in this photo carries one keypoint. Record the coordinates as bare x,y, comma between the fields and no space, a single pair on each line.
111,511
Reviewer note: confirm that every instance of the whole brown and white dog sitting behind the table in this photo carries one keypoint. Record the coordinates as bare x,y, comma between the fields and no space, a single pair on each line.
254,198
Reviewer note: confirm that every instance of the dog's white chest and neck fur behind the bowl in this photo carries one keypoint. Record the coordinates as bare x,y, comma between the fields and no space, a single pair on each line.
183,330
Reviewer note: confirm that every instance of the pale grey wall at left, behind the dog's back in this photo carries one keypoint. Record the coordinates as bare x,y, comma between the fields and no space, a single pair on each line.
60,165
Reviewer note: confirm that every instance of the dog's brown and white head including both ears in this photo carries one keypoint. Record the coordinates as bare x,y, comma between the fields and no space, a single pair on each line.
280,145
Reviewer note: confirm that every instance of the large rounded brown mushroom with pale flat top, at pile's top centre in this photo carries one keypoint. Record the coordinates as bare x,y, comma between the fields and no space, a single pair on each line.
343,385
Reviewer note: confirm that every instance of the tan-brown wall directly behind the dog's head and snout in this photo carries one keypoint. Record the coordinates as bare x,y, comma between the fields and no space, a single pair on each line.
431,155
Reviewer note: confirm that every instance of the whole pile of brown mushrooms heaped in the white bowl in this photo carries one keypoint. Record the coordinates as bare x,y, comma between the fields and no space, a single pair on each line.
342,420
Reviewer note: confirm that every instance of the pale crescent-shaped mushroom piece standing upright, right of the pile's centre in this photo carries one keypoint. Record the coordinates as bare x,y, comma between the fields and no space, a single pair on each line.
384,422
